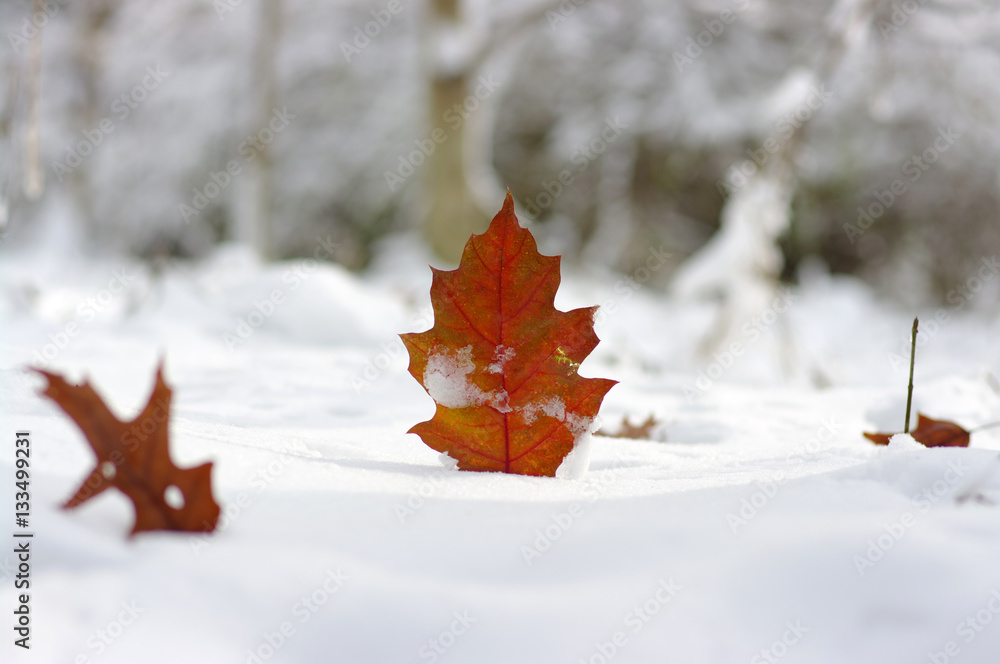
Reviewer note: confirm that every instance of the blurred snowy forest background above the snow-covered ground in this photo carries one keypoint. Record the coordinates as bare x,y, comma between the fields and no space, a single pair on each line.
756,133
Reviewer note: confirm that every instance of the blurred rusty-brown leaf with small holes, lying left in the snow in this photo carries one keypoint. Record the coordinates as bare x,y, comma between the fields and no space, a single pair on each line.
134,457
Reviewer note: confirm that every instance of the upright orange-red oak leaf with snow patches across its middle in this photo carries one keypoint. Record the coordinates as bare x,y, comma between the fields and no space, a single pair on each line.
501,362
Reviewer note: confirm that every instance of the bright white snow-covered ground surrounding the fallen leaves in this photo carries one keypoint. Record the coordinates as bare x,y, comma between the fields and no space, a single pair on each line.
760,526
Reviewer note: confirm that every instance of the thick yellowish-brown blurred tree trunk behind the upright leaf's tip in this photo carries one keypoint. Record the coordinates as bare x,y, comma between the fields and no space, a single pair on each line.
453,213
